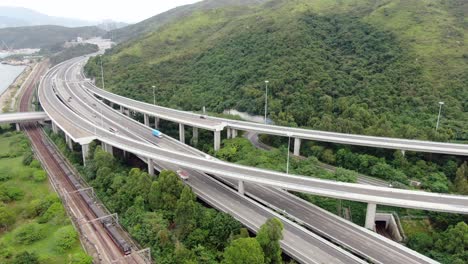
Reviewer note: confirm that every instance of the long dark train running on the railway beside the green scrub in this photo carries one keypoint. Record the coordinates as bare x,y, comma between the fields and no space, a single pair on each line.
107,222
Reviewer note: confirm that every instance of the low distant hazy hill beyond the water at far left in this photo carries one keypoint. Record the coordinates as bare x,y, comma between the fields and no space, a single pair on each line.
42,36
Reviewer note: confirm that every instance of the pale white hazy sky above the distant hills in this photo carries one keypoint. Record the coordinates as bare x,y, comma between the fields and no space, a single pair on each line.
120,10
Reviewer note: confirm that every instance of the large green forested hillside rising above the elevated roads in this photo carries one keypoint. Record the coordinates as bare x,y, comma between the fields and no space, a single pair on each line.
376,67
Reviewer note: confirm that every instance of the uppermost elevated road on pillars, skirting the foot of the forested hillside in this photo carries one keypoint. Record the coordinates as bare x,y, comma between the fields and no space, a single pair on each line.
213,123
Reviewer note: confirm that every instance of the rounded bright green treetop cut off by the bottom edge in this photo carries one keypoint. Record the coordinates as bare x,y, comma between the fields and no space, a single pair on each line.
244,251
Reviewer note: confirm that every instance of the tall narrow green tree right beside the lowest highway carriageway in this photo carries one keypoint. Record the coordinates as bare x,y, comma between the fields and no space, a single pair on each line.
268,237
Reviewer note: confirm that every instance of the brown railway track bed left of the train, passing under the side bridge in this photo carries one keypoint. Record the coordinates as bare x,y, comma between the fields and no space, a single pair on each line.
93,231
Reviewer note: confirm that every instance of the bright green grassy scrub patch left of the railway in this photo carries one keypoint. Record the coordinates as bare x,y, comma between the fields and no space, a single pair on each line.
32,204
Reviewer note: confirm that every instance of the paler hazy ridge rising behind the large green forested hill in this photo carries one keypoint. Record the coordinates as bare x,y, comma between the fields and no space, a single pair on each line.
153,23
